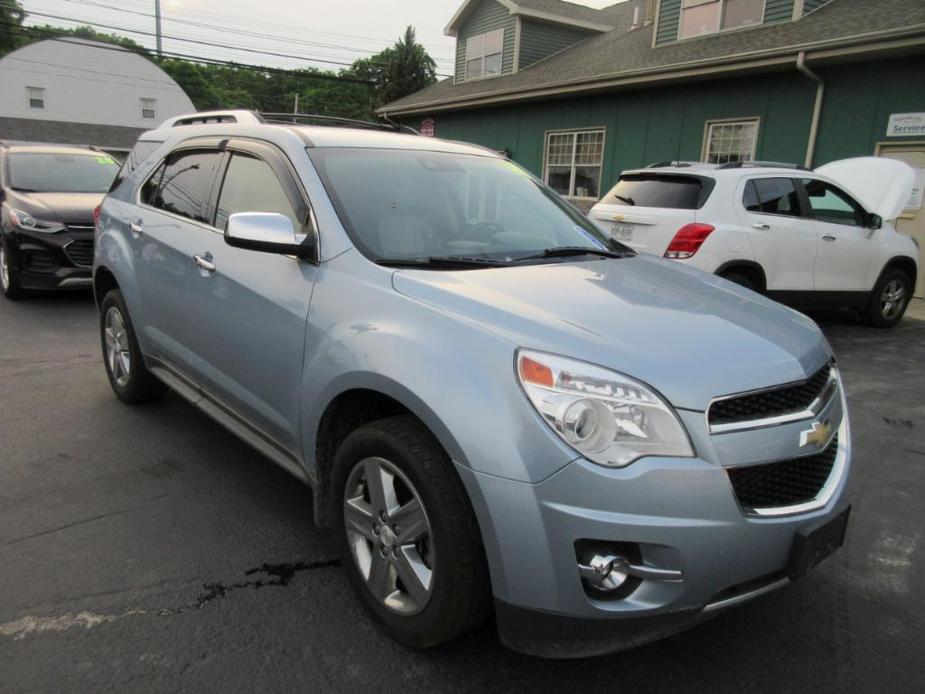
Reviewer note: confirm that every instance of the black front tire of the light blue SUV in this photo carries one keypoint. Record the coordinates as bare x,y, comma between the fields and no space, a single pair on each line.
460,593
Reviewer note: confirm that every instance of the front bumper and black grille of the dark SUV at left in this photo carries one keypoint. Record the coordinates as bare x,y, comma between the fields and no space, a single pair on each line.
58,261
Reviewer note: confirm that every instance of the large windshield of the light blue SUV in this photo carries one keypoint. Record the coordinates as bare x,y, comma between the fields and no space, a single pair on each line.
415,205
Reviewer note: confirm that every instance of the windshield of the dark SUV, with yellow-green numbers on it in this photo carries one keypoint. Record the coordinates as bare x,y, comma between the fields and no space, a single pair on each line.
61,173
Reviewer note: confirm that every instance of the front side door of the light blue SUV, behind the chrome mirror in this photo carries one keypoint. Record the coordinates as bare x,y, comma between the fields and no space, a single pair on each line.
248,312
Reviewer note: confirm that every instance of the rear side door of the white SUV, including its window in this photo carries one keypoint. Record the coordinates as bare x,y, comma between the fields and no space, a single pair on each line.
783,241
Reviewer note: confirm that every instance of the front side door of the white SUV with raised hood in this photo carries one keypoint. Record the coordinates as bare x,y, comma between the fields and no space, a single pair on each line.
847,248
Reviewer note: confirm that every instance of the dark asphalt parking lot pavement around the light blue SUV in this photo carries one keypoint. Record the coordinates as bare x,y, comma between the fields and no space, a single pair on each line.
146,549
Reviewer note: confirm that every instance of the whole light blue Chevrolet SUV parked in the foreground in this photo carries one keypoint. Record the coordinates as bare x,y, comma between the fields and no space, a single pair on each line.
498,407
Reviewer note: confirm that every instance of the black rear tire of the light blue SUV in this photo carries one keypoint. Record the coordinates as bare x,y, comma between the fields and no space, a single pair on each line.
138,384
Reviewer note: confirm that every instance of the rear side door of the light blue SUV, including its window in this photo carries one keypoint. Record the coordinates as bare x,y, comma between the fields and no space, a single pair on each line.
173,205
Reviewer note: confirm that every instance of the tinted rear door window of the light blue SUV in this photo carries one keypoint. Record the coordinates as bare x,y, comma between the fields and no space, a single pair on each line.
186,184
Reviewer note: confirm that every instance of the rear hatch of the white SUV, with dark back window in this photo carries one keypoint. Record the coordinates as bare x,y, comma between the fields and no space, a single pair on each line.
645,209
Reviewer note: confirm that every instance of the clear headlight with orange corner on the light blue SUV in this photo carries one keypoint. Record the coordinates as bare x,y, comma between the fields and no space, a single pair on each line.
607,417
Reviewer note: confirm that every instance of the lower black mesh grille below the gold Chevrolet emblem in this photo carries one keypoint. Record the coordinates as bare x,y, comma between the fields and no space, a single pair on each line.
784,483
